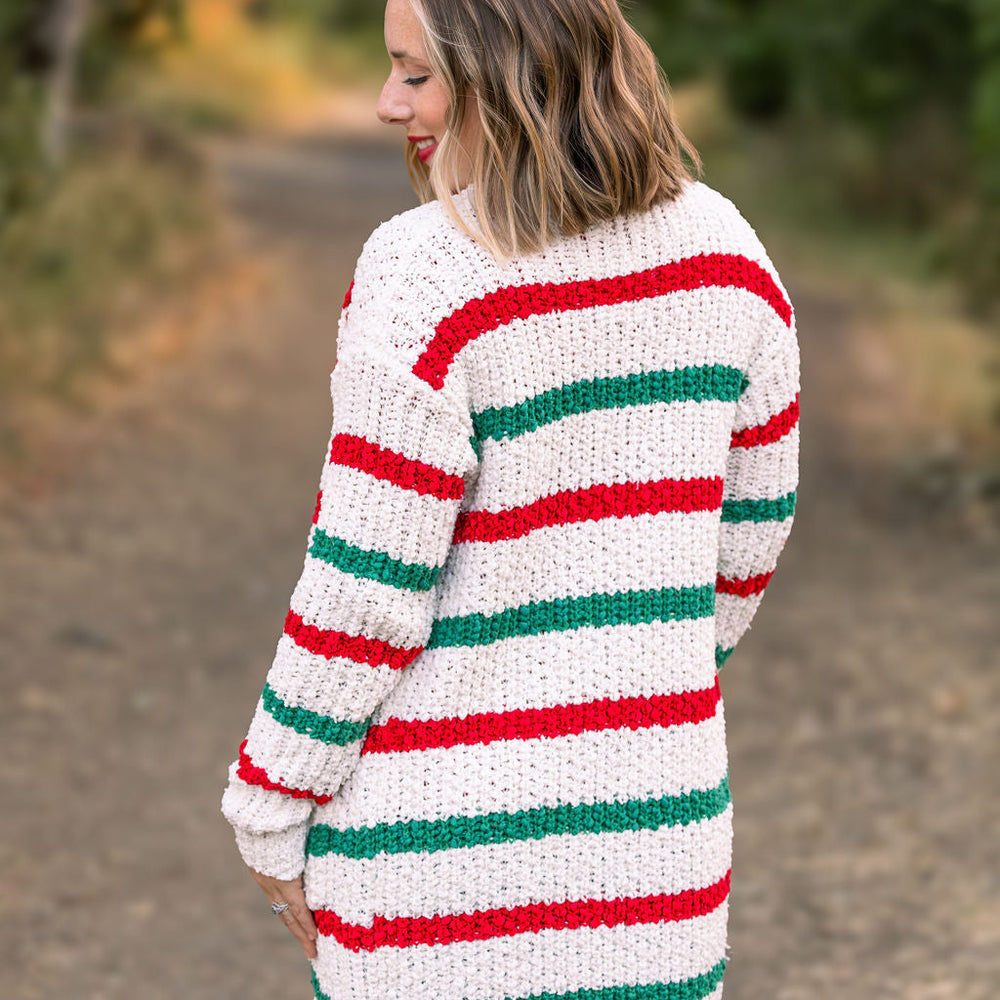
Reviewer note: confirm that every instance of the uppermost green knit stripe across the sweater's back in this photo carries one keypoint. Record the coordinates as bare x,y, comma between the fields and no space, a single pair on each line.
699,382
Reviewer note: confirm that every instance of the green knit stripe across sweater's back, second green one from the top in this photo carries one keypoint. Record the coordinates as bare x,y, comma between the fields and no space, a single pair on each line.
565,613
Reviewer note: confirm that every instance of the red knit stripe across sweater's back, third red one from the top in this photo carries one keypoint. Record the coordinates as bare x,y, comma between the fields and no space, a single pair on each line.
530,723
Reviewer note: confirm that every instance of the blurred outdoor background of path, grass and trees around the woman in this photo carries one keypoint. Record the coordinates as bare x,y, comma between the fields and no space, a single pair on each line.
184,188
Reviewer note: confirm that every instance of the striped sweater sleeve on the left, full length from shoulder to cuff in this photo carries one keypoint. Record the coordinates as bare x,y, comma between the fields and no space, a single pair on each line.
392,482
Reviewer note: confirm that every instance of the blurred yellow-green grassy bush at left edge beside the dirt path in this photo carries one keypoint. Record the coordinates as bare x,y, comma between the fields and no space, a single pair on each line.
116,232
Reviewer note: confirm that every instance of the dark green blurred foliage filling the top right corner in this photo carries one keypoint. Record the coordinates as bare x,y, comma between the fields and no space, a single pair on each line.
894,105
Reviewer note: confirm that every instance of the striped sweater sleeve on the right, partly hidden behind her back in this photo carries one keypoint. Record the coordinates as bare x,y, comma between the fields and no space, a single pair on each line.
761,478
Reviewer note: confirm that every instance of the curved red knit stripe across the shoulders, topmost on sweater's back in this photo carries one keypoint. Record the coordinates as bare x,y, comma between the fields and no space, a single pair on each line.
489,311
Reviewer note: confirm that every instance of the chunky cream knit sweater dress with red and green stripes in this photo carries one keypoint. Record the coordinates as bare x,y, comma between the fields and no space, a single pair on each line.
553,494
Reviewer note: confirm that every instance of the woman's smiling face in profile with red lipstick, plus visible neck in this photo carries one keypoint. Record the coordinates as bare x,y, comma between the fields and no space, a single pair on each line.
412,96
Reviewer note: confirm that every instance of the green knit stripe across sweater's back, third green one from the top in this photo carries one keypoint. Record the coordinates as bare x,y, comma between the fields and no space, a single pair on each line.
527,824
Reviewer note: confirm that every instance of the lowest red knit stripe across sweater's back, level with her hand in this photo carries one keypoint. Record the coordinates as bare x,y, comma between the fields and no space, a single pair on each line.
400,932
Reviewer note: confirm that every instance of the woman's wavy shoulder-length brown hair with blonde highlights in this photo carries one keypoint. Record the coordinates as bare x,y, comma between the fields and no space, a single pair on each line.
577,119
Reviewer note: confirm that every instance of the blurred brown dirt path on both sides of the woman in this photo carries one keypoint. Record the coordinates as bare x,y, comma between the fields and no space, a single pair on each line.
142,600
